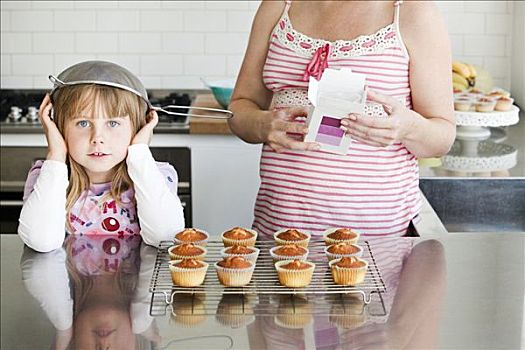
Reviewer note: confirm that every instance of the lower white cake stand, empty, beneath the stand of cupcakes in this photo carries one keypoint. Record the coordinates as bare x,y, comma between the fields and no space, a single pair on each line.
476,156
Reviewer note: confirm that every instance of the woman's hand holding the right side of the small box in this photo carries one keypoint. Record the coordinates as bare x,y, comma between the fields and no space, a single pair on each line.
379,131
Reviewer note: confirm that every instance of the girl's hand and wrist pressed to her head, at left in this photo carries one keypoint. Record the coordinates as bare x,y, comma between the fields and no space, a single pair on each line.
57,148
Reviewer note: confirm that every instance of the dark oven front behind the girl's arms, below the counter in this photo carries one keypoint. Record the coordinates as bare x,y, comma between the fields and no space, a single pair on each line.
16,162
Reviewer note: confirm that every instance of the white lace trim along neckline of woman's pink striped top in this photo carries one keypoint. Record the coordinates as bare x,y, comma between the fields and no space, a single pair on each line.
362,45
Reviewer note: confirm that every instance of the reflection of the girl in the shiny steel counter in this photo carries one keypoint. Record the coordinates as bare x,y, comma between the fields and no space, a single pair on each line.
94,291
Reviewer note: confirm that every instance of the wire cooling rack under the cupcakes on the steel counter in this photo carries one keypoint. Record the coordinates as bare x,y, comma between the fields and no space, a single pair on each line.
264,285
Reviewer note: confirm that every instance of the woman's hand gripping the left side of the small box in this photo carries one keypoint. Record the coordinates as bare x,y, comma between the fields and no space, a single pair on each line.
280,123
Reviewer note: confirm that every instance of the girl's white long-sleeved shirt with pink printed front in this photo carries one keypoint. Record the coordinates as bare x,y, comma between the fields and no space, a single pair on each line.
157,215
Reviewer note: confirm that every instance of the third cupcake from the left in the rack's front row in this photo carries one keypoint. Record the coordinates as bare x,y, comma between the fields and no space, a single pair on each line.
295,273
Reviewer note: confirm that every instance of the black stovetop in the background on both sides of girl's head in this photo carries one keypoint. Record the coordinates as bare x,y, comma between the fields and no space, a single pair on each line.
19,110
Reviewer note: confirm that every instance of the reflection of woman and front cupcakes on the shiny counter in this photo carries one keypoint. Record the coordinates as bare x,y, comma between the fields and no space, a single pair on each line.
405,316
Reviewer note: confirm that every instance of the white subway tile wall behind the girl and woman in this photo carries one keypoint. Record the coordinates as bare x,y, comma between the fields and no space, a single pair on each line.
173,44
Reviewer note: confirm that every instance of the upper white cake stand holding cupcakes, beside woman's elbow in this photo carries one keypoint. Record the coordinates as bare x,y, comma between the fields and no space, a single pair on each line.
473,125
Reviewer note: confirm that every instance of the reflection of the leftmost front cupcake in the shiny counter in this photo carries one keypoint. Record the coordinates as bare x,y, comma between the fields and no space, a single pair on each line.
188,310
